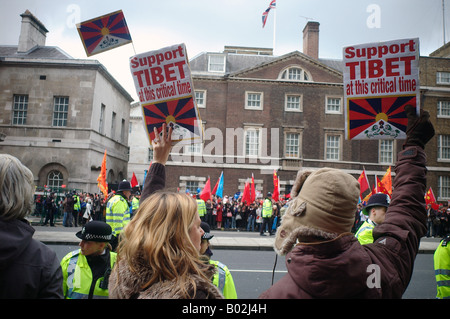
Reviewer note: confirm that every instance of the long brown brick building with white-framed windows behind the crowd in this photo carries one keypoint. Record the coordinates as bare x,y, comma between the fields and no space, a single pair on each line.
262,113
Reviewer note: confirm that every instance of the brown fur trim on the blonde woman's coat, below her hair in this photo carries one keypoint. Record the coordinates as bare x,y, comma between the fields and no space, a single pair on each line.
125,284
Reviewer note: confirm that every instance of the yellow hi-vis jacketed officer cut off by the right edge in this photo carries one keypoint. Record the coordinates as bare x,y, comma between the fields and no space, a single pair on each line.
442,268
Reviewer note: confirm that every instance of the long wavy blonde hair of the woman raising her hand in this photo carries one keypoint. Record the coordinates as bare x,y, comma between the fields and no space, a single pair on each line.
158,239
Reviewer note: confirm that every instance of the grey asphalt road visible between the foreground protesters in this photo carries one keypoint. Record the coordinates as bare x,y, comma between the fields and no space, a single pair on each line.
252,271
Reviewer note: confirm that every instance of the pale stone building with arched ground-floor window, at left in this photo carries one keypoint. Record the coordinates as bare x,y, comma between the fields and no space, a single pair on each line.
59,114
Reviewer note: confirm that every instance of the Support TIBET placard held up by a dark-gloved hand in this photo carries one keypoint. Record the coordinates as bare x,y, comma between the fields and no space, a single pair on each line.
380,79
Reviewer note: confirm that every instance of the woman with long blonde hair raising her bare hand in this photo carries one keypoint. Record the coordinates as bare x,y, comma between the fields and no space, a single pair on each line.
159,250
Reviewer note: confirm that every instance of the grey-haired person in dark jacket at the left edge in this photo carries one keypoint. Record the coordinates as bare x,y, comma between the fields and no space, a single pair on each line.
28,268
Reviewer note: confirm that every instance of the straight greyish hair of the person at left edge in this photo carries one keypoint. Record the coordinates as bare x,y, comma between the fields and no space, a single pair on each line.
16,188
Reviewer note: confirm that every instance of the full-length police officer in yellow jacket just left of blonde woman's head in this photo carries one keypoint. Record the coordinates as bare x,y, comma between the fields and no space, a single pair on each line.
118,211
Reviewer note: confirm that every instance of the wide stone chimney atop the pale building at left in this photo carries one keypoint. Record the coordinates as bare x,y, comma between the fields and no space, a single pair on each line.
32,33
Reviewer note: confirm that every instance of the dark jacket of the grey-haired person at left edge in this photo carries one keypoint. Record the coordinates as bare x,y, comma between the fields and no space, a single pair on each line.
28,268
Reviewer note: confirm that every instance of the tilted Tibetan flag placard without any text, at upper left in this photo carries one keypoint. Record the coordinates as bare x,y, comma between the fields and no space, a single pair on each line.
104,33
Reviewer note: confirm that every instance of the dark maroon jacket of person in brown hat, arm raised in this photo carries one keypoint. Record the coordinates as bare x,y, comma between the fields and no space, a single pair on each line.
343,268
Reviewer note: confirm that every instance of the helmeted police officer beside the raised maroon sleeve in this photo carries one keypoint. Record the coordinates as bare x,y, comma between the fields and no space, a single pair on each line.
376,210
